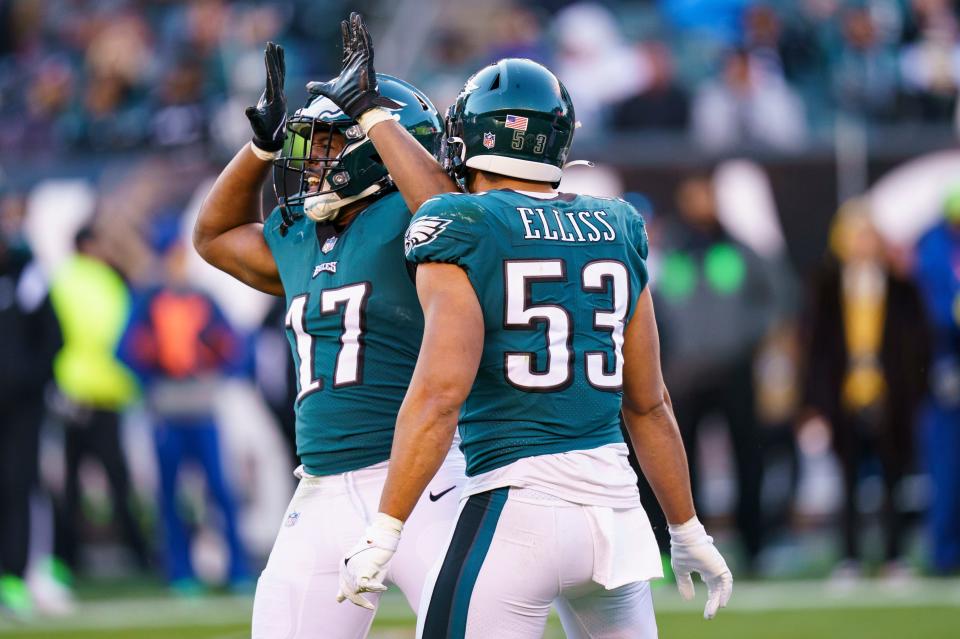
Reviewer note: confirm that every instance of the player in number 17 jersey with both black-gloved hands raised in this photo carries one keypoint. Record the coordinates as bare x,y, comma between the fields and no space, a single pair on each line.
334,249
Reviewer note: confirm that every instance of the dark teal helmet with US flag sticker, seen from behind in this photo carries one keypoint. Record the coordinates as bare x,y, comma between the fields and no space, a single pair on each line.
513,118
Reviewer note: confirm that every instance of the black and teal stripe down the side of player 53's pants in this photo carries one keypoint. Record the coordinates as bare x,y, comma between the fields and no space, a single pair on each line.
450,600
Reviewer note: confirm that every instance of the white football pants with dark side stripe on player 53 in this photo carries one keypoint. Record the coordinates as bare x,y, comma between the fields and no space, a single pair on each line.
512,554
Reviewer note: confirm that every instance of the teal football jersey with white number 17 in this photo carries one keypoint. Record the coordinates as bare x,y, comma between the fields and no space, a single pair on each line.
355,326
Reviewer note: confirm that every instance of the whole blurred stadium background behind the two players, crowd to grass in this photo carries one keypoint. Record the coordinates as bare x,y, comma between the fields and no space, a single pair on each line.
797,162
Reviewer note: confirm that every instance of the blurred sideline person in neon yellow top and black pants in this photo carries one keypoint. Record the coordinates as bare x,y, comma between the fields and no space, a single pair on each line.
92,303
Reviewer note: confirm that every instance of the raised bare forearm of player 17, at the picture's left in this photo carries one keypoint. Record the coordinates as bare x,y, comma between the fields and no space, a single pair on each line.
234,200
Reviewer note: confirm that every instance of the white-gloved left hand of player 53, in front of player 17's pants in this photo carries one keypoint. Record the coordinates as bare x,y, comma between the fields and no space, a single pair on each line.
364,568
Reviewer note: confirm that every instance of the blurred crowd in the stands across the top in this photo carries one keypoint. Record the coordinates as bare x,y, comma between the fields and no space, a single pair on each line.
123,74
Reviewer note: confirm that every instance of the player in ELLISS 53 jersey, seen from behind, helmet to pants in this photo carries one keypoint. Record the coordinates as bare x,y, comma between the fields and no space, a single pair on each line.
539,333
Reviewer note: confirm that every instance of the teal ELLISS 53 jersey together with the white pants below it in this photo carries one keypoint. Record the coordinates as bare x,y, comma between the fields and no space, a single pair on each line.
558,278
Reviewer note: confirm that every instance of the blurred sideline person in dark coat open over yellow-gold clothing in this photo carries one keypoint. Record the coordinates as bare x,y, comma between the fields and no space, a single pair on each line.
867,353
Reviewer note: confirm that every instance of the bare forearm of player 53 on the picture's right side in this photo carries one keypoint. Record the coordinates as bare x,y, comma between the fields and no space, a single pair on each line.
659,448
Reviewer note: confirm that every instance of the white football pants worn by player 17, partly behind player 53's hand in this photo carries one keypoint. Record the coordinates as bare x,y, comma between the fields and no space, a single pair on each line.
296,593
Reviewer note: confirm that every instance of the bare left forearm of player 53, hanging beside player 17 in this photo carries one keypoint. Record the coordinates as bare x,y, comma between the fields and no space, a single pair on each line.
423,437
